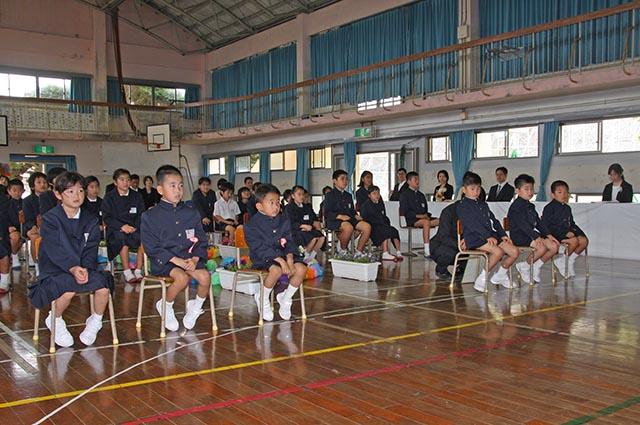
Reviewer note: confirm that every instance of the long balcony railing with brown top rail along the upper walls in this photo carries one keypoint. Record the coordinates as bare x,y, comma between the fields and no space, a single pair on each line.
605,39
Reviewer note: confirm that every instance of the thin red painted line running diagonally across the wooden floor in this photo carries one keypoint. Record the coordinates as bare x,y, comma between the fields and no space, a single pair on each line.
337,380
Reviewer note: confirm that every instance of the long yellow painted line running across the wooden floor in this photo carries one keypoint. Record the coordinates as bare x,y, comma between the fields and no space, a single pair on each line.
293,356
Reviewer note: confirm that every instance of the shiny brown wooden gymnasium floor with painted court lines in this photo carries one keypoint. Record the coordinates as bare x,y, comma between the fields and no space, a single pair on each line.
399,350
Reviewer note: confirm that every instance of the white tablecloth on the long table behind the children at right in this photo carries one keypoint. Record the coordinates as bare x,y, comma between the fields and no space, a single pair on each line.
612,228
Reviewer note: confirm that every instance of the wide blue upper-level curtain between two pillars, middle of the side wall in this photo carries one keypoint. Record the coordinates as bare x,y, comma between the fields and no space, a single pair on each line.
418,27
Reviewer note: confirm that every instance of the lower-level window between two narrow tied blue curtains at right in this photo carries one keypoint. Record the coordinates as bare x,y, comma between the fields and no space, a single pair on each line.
520,142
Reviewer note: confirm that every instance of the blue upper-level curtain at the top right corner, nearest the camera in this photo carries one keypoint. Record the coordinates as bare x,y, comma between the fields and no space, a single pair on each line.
601,40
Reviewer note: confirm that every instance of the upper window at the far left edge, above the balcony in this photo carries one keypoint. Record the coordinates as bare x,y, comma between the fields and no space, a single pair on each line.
17,85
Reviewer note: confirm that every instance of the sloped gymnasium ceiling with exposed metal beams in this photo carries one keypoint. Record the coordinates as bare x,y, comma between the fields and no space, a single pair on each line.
200,26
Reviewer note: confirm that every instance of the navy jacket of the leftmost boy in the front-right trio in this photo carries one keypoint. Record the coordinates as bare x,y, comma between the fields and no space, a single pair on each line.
478,223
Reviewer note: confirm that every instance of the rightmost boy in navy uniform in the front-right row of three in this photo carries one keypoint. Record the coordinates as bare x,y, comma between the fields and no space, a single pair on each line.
559,219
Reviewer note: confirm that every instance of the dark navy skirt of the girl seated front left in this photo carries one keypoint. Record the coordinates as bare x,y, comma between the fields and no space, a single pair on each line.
53,287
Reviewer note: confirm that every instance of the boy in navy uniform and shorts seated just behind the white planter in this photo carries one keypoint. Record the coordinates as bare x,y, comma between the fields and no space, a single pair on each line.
340,214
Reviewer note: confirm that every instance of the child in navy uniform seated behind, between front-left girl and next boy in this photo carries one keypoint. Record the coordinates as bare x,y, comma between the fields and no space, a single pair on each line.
121,210
